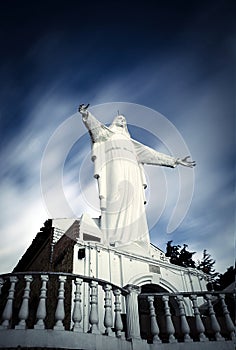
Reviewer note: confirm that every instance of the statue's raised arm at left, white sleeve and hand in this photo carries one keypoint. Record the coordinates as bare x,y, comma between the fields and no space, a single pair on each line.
98,131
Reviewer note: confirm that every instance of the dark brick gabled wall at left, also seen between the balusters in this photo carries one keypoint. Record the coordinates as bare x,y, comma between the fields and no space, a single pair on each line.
43,256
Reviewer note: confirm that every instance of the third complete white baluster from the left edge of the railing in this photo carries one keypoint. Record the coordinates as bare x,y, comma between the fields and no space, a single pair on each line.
41,310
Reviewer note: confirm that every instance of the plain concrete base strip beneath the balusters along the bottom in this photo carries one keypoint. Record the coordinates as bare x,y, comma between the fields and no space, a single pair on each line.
32,338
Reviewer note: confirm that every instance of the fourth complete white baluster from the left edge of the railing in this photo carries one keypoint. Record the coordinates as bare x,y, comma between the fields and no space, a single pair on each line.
60,310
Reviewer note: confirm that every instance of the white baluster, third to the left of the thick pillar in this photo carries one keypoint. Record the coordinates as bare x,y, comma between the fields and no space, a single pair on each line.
93,316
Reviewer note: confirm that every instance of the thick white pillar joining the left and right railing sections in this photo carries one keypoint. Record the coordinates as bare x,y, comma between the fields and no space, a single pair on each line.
132,314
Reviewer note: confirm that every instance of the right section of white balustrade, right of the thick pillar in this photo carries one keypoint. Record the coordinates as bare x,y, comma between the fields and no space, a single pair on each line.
187,317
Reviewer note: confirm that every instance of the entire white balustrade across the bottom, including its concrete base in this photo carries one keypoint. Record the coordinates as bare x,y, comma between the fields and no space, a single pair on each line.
68,311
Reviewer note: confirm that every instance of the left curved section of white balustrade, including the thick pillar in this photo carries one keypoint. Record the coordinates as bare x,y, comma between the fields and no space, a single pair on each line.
37,300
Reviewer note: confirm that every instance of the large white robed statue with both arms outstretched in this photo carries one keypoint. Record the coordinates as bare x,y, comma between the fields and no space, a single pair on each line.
118,168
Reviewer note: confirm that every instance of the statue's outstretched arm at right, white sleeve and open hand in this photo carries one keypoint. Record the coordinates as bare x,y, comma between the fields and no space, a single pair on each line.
147,155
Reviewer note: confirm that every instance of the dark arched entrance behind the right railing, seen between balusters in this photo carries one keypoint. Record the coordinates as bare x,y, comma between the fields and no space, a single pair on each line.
144,311
